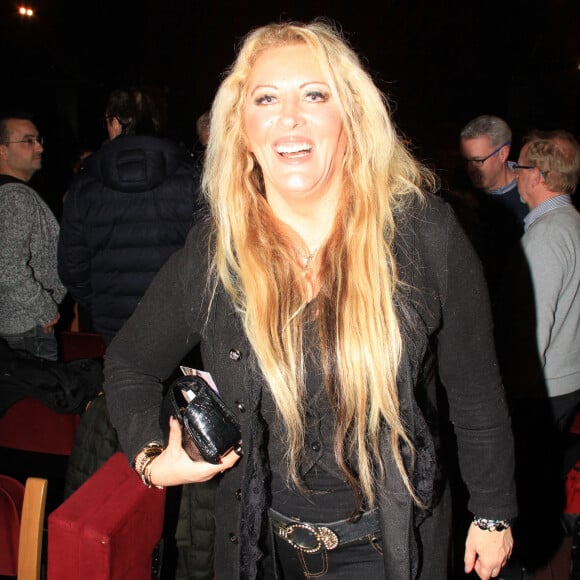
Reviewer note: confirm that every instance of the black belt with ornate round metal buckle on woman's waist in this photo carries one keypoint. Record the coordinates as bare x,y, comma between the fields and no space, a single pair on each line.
310,538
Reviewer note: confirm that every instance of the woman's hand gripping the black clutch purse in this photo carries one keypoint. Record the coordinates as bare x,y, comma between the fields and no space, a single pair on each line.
174,467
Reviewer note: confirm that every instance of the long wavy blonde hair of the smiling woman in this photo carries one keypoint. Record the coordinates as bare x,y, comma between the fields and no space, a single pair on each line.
358,324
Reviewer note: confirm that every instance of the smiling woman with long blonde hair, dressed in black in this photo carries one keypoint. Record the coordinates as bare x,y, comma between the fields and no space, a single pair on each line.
323,287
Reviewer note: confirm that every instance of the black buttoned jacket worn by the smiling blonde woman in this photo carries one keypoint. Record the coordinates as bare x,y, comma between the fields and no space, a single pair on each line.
446,318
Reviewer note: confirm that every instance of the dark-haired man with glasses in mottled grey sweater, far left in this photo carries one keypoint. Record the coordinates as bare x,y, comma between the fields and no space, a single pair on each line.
30,289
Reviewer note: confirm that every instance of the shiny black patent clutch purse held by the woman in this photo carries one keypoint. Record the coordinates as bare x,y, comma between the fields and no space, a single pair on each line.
209,428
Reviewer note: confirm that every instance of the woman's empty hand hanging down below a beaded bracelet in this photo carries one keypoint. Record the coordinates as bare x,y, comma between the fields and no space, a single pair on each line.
487,552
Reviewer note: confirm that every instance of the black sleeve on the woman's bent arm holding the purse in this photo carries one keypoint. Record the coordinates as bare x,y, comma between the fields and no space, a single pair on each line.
163,329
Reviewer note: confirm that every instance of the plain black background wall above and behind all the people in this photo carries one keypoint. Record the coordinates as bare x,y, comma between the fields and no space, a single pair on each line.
441,63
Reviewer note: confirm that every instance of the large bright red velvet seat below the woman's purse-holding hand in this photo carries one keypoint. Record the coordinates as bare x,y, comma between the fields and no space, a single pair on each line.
108,528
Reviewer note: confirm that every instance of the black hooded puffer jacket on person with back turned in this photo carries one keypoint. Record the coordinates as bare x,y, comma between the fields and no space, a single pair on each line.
124,215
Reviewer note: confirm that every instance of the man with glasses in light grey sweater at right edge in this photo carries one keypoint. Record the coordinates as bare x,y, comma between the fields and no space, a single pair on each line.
540,350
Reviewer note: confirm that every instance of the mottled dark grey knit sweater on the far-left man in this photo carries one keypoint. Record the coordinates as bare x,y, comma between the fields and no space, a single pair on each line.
30,289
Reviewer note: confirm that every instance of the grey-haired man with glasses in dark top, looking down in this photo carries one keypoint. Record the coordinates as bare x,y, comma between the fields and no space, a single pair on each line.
485,146
